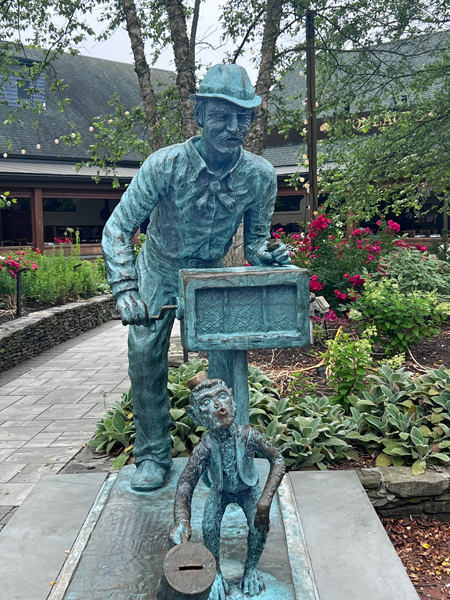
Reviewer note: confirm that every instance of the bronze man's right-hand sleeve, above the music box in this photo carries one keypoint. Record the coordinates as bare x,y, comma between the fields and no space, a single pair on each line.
258,217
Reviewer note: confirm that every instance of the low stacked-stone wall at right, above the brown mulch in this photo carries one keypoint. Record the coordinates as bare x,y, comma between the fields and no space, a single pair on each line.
396,493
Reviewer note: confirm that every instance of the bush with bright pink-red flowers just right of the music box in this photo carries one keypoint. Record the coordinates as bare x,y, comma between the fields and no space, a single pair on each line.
339,268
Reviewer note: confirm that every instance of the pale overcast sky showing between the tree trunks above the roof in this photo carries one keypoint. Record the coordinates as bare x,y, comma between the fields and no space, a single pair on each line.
118,48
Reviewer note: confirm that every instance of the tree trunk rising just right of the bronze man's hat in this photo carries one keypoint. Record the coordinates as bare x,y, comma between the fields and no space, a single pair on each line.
256,137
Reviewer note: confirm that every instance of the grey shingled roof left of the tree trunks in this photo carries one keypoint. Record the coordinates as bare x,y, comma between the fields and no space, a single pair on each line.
91,82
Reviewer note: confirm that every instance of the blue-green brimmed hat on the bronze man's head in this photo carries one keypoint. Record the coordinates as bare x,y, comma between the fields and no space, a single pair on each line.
228,82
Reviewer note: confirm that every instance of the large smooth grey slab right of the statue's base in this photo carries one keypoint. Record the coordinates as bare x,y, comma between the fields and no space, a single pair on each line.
351,555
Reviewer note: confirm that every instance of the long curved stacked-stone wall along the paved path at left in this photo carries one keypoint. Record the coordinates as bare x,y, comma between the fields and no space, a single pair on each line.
28,336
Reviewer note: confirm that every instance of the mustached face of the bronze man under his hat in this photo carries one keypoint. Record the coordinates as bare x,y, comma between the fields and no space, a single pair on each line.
225,125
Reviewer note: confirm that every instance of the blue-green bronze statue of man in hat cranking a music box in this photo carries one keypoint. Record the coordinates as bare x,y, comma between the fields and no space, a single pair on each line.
195,195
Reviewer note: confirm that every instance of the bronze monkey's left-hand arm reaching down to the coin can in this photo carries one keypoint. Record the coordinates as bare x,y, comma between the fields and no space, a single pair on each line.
189,478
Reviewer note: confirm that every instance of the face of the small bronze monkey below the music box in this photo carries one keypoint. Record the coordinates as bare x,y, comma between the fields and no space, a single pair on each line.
214,408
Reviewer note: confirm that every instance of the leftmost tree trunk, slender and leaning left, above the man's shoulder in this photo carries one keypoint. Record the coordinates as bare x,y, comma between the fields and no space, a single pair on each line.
143,73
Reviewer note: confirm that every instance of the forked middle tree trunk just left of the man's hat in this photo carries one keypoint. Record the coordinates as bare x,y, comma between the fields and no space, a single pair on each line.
184,52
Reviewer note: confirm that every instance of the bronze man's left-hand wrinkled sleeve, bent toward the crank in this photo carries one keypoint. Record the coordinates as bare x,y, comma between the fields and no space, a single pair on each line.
137,203
